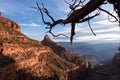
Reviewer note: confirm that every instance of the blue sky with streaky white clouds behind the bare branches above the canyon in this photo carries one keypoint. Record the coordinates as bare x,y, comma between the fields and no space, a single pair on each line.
31,24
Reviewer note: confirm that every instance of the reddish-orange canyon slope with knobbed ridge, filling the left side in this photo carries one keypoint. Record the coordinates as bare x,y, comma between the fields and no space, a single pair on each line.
22,58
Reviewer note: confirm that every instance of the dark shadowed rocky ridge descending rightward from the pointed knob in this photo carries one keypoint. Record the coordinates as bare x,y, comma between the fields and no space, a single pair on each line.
63,52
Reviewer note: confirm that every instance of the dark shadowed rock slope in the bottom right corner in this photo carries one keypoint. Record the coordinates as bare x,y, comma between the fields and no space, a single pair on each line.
109,71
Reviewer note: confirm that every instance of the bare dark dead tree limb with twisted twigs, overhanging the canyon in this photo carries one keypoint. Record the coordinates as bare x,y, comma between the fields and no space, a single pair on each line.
78,15
